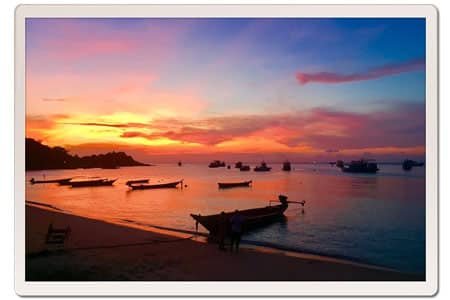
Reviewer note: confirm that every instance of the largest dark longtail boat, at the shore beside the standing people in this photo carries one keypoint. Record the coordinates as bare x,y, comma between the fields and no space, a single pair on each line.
253,218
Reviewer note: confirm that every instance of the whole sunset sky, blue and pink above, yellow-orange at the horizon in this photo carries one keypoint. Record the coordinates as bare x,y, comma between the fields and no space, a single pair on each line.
302,89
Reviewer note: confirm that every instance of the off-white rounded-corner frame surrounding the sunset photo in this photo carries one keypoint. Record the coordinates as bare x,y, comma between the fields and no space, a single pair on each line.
428,287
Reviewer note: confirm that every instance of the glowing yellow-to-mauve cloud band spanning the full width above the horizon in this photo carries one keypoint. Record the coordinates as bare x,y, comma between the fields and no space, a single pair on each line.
320,130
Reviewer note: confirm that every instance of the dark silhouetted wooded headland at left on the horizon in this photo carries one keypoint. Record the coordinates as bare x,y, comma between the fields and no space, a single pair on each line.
42,157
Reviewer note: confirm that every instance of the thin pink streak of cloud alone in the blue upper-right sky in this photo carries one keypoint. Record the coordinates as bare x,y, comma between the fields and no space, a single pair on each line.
387,70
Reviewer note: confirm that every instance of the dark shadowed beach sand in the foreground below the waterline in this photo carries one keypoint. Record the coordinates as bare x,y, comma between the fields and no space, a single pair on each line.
163,257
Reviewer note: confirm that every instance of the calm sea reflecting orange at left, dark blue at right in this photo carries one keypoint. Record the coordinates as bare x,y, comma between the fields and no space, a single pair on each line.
377,219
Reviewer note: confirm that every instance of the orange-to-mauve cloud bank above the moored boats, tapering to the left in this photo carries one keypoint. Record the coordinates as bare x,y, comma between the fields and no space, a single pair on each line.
321,128
